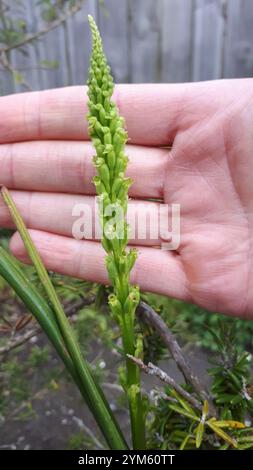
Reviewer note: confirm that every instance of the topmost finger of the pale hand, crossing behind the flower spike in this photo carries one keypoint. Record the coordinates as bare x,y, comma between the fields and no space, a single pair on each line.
153,113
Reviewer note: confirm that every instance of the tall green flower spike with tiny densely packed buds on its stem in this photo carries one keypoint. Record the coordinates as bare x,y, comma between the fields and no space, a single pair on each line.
109,137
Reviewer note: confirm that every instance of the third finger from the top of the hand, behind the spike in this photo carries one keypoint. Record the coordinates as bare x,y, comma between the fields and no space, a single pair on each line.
77,216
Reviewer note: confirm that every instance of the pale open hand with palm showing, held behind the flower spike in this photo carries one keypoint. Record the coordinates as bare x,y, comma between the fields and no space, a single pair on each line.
46,162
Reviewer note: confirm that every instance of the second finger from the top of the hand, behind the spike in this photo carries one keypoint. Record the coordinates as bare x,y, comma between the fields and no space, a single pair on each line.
65,166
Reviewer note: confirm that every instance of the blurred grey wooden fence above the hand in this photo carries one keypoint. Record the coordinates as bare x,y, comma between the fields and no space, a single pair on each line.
46,43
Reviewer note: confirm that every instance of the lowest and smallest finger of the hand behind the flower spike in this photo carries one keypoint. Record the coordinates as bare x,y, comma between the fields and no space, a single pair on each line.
155,270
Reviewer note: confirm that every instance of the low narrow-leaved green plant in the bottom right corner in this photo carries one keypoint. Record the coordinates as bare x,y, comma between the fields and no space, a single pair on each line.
177,424
